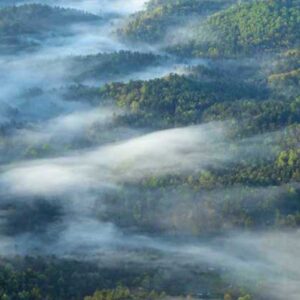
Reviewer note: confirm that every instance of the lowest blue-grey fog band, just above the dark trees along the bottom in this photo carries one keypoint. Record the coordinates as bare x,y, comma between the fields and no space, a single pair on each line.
265,262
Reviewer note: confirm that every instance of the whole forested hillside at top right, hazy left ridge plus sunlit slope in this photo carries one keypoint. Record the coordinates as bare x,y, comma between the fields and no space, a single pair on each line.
245,28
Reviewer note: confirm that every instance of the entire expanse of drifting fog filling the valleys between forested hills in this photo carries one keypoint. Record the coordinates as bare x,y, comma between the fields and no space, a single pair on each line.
73,163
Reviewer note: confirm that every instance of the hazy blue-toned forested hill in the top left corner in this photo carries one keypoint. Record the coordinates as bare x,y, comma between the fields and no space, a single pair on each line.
22,26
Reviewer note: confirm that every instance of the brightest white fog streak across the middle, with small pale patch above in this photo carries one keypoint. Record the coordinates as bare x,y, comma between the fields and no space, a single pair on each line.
173,151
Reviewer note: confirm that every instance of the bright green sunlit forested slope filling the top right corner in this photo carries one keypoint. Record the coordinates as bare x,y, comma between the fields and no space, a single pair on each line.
247,28
